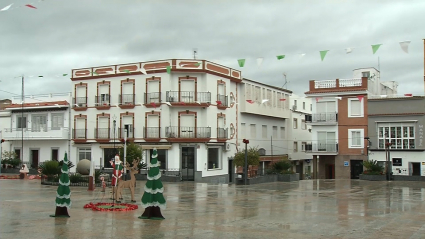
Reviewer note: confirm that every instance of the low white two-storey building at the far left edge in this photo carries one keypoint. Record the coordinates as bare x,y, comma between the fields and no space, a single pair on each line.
37,129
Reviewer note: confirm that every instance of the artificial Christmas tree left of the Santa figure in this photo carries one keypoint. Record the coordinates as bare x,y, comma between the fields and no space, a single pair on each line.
63,194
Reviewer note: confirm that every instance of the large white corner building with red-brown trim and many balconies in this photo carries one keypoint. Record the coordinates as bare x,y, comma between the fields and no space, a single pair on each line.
184,108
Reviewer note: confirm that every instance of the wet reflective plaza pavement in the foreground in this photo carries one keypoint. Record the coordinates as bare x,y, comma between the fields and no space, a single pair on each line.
305,209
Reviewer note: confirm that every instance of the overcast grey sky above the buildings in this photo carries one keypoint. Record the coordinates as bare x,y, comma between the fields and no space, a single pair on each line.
65,34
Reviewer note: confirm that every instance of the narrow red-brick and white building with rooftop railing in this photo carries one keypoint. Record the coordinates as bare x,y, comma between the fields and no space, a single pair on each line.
339,122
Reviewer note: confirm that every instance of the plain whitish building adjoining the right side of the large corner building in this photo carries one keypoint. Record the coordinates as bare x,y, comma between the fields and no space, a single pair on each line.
264,120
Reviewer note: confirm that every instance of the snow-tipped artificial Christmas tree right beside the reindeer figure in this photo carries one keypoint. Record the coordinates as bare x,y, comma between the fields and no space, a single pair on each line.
152,199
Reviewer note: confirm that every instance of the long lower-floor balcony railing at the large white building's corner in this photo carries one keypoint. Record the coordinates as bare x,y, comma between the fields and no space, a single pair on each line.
187,132
